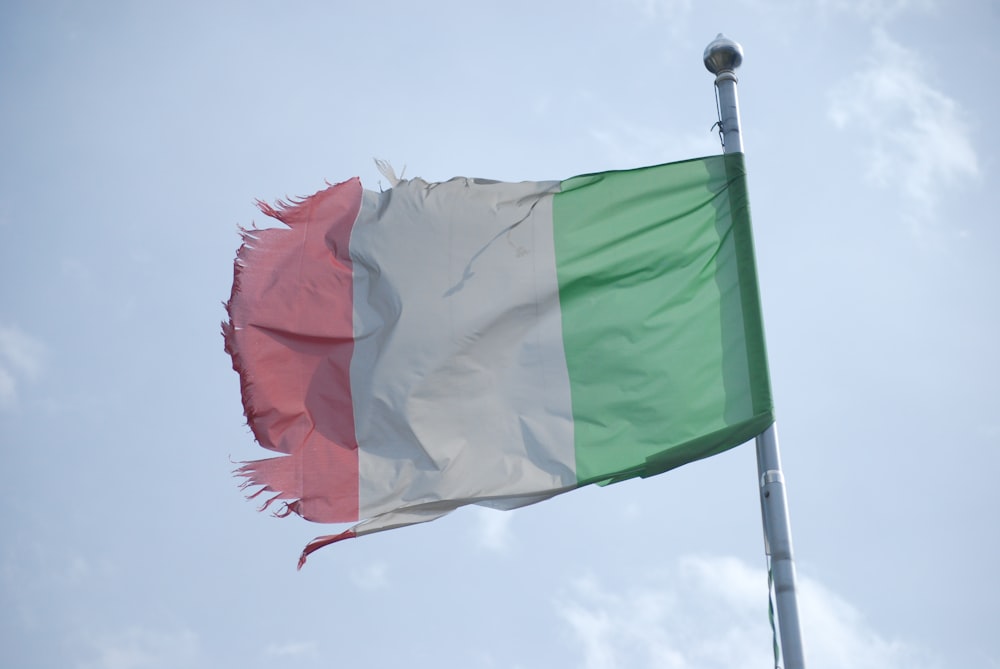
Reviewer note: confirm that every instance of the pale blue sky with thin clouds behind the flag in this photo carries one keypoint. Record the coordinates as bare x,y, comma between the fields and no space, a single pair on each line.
135,137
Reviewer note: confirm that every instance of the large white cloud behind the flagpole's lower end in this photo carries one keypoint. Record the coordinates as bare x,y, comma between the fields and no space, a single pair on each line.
711,613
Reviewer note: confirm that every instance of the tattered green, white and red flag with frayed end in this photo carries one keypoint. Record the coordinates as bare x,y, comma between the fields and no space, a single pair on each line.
412,351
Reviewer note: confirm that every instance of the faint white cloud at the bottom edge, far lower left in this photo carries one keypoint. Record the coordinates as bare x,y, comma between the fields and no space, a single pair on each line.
138,648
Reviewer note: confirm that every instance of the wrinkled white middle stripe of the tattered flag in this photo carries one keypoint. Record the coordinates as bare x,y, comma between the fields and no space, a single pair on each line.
459,377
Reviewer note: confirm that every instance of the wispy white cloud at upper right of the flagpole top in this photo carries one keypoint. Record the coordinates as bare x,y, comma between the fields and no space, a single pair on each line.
916,137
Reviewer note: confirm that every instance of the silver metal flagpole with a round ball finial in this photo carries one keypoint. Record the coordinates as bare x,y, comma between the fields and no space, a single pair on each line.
722,57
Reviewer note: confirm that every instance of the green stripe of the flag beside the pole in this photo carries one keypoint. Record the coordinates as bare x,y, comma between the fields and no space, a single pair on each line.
661,316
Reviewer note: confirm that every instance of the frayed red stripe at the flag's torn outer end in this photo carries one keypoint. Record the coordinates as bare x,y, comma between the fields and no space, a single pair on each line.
291,336
